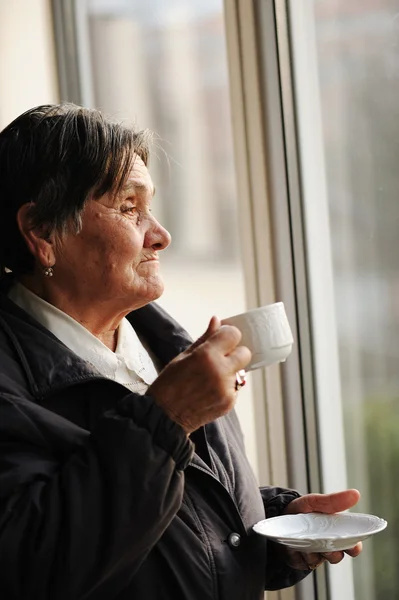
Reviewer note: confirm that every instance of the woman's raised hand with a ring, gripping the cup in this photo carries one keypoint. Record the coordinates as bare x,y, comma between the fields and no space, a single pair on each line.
198,386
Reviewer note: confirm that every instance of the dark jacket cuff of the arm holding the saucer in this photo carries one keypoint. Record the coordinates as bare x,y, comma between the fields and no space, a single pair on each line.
278,574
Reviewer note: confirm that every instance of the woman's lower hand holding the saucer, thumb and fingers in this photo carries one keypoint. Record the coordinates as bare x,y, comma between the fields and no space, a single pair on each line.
322,503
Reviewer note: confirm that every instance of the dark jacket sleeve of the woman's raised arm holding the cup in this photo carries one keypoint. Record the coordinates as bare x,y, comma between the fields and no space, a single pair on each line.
68,526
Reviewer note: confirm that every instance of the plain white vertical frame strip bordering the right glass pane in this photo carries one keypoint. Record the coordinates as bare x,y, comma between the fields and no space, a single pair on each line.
330,425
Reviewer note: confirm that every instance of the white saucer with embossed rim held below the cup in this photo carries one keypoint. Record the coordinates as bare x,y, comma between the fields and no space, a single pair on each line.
317,532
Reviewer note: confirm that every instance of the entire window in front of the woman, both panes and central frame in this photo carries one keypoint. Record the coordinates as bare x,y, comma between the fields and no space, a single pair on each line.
332,136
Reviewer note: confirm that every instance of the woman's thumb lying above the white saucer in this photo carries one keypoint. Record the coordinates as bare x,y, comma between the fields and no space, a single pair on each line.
324,503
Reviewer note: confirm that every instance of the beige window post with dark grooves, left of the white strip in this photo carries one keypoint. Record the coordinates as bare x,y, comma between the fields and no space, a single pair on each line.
271,208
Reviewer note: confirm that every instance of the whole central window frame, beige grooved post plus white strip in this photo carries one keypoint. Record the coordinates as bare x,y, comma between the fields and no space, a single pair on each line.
269,138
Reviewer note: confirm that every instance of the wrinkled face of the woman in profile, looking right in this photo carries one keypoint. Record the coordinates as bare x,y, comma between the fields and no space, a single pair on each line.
114,259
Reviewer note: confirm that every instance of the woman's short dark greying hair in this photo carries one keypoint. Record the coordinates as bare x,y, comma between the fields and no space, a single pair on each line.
57,157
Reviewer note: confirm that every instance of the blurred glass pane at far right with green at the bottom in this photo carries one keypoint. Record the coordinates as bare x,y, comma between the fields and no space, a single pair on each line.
358,58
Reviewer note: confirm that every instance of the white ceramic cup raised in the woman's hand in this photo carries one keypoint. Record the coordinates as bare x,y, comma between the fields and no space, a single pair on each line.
266,332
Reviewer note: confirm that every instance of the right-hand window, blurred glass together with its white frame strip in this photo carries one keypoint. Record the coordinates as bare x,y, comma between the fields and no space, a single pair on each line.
345,55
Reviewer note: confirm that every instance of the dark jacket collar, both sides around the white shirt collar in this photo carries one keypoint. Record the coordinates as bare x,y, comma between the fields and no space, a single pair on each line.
49,365
